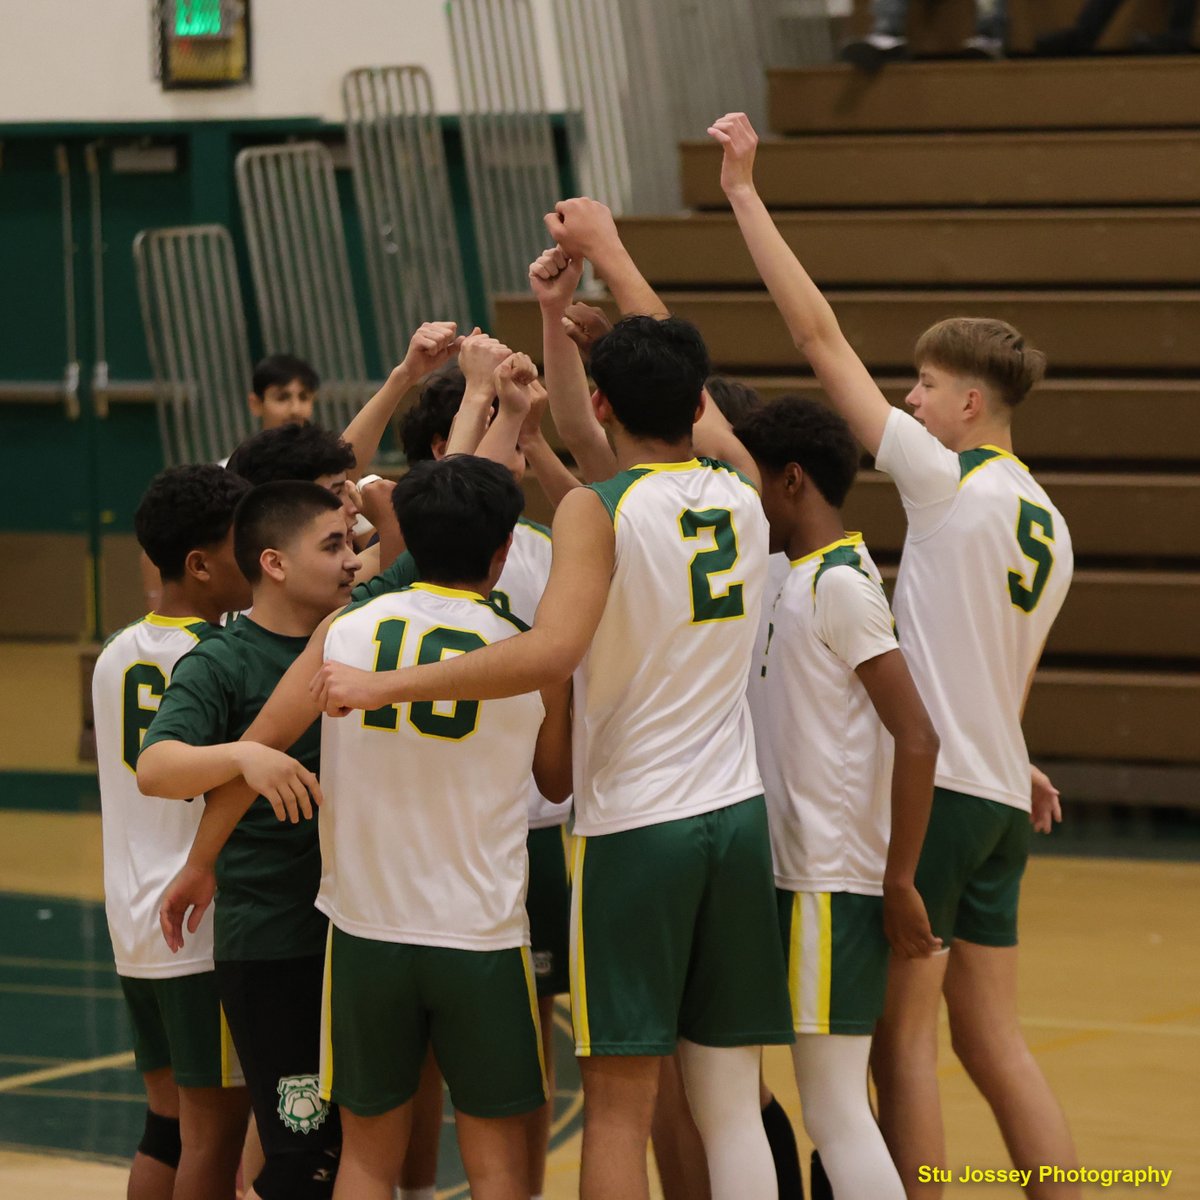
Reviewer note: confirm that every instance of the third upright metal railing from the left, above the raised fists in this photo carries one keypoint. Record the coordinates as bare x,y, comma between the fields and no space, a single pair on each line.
405,206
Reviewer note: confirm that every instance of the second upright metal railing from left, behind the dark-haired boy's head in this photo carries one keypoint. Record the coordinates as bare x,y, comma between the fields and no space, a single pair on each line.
302,271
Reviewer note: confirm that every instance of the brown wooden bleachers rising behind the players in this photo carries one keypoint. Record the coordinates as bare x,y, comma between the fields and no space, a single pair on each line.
1064,197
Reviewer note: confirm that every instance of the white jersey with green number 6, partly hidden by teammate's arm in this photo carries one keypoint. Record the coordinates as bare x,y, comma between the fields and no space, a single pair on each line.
147,839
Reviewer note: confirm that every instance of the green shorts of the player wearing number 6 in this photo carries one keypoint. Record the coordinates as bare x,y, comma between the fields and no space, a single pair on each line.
179,1024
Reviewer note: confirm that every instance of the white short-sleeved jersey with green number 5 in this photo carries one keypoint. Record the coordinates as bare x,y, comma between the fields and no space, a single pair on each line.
986,568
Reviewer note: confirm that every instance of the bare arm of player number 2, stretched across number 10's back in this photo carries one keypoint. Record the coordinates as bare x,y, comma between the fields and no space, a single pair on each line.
568,616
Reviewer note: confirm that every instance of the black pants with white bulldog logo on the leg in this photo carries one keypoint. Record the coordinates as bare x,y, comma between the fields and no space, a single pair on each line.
274,1015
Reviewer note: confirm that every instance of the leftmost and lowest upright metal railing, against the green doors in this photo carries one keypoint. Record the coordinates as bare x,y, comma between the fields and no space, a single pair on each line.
196,337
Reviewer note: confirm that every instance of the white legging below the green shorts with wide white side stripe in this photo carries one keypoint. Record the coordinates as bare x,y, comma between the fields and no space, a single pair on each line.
831,1075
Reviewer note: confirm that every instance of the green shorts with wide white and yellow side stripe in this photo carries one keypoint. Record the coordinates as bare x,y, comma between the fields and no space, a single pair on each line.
837,961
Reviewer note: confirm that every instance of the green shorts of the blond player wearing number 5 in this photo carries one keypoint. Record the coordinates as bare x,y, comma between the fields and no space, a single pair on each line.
971,867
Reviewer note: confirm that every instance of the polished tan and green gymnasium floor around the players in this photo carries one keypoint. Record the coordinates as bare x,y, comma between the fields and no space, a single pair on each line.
1111,993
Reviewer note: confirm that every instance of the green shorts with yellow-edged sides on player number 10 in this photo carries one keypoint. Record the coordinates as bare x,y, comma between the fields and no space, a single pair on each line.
386,1003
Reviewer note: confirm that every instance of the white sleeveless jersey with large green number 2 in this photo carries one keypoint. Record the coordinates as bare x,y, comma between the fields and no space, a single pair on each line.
662,723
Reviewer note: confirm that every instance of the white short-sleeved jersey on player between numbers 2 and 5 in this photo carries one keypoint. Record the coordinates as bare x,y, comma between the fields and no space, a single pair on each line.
825,757
